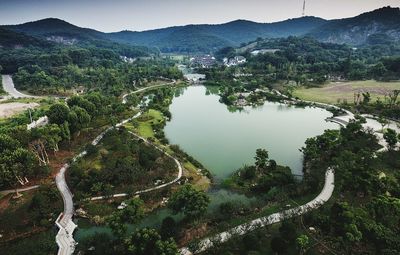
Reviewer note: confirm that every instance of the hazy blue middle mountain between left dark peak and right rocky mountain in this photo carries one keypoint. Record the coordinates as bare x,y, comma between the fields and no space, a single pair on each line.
192,38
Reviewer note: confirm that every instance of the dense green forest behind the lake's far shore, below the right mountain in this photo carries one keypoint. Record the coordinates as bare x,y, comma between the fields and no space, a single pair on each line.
308,61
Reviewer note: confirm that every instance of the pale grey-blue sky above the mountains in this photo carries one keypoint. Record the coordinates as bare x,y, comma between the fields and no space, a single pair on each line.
139,15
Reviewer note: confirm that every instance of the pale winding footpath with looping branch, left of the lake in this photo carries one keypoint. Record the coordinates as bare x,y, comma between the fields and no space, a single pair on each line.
64,237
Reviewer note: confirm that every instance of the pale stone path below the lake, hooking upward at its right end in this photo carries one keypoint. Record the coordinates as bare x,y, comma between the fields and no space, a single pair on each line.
242,229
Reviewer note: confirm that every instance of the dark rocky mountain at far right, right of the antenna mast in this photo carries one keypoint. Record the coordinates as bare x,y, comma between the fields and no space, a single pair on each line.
381,24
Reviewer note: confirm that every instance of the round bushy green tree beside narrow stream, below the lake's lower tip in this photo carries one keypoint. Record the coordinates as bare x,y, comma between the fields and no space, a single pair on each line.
193,203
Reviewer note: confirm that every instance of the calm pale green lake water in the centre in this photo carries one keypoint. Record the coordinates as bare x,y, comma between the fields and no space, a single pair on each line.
223,140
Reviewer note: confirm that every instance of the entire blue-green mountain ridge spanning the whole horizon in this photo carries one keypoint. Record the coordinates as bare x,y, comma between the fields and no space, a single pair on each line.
378,25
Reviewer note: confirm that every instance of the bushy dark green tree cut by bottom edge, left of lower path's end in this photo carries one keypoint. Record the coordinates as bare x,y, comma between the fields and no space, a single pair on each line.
148,242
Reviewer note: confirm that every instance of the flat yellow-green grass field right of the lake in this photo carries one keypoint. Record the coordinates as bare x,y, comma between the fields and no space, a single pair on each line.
333,93
